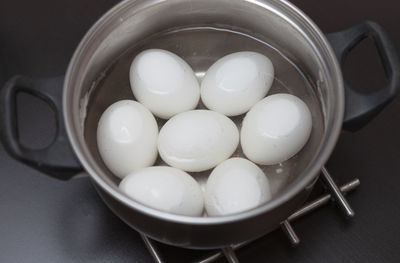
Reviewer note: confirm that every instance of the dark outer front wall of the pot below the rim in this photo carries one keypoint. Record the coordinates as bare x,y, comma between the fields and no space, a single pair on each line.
202,235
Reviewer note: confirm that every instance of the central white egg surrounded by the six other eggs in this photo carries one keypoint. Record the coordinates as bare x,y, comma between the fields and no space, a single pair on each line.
197,140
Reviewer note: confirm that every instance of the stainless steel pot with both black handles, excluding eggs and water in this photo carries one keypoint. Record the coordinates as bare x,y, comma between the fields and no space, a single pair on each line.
280,24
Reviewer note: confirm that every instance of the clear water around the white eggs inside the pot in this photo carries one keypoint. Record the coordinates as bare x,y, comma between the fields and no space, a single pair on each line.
200,47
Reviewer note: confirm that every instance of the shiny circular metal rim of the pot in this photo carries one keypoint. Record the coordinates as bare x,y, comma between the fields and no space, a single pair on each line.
307,176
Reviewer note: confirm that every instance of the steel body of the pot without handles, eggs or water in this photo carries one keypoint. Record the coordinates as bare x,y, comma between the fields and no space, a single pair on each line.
278,23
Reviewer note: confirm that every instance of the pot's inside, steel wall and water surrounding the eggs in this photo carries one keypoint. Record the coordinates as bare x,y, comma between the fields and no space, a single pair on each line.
201,32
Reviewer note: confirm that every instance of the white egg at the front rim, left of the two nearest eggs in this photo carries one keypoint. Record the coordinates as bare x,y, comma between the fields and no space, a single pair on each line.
165,188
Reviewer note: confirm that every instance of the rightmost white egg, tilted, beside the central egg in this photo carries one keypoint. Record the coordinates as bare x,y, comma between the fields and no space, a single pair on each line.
275,129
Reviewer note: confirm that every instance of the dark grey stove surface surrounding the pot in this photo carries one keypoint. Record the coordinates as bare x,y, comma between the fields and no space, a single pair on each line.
45,220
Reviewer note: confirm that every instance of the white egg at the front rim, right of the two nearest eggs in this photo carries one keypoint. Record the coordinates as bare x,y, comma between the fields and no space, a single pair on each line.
234,186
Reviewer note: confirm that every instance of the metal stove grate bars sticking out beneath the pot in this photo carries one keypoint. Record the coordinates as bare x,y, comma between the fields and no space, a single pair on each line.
335,193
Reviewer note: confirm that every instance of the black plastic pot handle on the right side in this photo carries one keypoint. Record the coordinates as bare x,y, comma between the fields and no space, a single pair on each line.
361,108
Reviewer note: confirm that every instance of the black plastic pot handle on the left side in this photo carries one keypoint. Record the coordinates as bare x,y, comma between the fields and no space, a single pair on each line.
57,159
